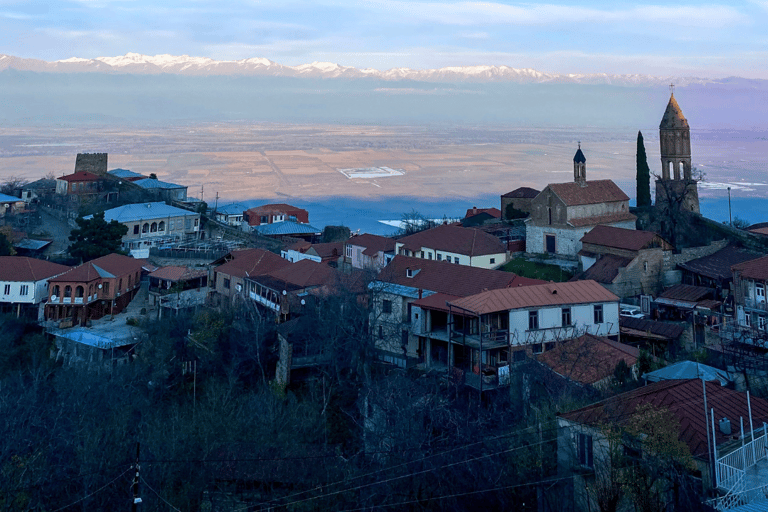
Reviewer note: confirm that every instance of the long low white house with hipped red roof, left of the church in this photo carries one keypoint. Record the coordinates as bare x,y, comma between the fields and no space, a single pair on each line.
454,244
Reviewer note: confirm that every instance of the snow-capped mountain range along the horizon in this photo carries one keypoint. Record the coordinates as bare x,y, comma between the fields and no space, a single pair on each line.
201,66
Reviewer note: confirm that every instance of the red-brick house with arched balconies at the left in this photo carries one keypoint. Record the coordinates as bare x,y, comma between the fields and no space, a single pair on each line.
104,286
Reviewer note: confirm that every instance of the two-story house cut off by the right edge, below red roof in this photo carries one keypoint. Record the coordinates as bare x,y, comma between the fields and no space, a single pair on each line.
750,281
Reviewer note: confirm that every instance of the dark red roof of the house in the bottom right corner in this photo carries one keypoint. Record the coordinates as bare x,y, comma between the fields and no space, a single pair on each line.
685,401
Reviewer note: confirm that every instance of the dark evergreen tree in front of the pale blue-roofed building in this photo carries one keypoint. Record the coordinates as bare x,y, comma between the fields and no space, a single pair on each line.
95,237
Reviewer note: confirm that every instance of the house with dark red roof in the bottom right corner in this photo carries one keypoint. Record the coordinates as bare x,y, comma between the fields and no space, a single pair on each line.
707,419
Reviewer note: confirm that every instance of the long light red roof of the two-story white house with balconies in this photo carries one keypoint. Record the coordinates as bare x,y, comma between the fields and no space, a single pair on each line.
551,294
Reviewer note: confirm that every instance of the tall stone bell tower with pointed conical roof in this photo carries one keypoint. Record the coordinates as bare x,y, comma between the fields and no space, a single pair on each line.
676,187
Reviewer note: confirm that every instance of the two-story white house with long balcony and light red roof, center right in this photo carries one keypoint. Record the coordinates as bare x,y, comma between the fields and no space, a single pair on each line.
483,334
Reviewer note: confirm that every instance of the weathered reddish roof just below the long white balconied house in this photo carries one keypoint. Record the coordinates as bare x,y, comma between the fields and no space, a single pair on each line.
588,359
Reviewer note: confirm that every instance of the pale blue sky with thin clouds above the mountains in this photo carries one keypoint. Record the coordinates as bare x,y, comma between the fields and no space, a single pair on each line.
709,39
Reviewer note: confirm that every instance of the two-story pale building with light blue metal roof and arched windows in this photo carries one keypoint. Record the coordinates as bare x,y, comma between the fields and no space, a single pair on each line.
154,224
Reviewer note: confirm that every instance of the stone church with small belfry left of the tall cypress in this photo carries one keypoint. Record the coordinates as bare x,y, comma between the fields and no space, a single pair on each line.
564,212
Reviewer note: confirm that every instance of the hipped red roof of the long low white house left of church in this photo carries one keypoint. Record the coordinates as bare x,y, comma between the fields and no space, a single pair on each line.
466,241
